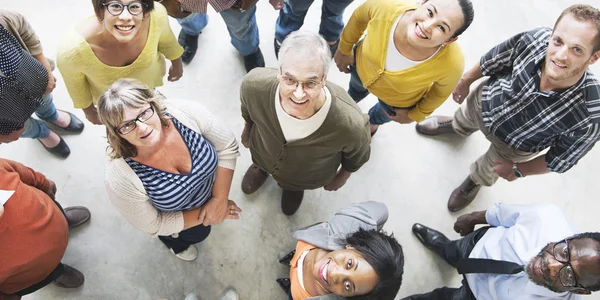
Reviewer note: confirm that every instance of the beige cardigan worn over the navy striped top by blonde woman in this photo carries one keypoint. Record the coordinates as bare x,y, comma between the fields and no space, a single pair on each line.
127,193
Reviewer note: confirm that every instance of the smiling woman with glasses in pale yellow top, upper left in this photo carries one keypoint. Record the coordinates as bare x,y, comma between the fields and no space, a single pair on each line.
125,39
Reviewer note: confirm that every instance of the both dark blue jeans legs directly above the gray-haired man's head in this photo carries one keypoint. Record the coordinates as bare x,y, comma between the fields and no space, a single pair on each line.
291,18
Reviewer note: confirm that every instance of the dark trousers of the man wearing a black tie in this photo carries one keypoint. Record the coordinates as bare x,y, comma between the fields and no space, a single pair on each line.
453,252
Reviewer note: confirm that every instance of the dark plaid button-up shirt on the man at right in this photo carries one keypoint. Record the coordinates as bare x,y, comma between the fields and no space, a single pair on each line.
516,111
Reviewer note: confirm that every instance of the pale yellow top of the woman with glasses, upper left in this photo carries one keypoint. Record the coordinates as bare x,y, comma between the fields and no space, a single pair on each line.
86,77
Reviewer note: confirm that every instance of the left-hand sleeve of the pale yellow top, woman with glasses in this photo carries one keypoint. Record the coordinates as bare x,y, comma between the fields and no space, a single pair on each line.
69,62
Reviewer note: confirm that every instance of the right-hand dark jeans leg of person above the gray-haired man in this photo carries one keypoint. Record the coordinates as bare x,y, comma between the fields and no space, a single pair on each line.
332,22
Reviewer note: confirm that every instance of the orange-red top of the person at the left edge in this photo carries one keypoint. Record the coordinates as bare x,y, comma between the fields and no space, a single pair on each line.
33,231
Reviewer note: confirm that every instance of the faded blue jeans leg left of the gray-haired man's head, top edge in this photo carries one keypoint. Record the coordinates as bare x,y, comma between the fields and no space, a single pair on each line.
242,29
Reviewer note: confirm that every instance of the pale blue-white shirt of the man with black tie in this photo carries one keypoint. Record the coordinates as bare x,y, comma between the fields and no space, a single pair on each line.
520,233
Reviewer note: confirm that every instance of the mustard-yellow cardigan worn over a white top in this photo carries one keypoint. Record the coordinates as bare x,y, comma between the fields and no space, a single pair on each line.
423,87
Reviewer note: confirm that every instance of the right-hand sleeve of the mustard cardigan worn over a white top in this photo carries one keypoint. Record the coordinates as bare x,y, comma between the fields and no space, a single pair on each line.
440,90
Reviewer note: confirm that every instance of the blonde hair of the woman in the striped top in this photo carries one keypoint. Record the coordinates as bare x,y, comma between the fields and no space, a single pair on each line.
126,93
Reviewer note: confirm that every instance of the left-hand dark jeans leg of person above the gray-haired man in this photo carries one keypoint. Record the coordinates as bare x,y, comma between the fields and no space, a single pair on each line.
291,18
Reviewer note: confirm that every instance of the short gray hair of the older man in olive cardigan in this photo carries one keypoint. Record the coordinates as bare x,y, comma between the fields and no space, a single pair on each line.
308,45
